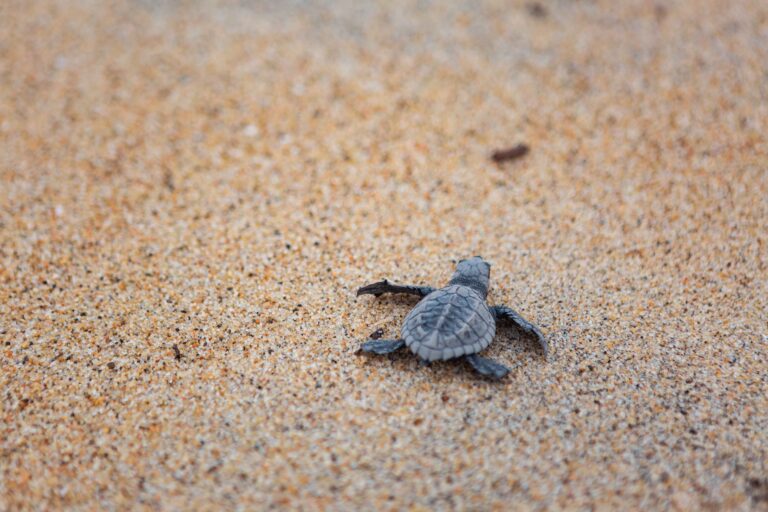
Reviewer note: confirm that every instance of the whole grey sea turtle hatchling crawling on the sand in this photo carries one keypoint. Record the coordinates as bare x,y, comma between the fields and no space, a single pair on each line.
452,322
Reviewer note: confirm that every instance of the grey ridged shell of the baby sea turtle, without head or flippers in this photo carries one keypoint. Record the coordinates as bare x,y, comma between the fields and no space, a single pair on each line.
450,322
